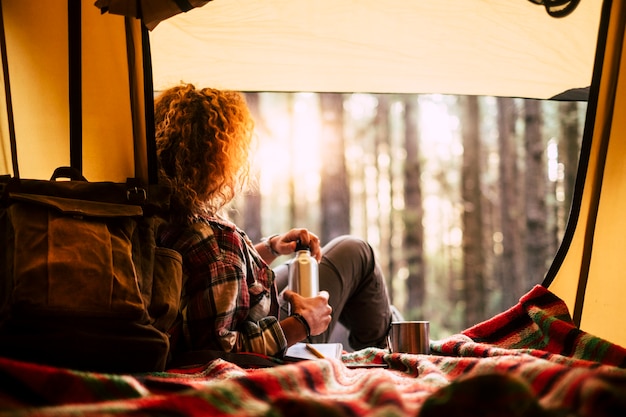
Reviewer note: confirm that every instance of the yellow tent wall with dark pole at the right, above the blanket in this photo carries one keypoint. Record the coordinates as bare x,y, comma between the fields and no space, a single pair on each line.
589,272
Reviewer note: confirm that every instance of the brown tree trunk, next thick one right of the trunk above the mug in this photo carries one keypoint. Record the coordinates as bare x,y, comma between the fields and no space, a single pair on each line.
473,253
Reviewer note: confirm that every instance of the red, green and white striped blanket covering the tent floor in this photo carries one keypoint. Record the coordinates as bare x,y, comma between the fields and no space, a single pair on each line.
527,361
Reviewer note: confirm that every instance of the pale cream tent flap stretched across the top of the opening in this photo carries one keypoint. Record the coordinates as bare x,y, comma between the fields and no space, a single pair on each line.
483,47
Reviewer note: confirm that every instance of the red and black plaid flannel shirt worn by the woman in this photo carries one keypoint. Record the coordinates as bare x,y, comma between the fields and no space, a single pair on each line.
229,298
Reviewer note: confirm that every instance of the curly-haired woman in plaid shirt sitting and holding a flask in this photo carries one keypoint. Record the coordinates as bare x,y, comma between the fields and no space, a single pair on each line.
230,296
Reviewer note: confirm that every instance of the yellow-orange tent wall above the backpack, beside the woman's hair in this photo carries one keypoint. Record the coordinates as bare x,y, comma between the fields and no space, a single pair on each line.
38,62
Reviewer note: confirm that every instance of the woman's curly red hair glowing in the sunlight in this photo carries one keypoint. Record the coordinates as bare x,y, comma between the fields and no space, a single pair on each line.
203,141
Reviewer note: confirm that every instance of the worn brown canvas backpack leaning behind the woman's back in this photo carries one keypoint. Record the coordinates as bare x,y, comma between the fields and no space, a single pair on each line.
84,284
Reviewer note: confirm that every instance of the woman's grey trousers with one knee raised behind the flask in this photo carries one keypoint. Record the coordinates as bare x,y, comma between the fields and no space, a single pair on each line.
358,295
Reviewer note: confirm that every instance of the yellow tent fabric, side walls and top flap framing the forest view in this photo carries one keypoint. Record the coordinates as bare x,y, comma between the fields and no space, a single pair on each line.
486,47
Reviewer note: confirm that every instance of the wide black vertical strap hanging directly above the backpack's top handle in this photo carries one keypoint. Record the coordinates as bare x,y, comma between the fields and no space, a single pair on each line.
75,84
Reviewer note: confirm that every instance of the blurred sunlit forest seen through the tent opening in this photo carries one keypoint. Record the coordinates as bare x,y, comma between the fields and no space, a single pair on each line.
464,199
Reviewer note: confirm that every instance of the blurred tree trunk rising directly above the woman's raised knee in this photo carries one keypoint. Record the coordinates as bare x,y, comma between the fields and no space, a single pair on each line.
335,191
